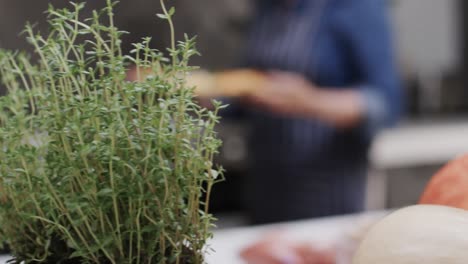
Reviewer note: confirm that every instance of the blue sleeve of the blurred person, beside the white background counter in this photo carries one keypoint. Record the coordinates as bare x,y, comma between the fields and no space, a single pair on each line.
370,44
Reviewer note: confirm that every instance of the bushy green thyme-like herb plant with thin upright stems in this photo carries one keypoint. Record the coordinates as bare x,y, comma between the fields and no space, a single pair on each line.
95,168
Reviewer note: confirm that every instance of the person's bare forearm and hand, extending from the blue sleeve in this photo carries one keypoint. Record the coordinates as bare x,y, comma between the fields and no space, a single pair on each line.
290,94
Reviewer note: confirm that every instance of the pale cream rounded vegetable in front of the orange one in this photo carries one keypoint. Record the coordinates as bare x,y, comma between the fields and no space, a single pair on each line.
421,234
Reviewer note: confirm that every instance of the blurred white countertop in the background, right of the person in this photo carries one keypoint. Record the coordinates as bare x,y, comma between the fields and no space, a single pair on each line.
421,143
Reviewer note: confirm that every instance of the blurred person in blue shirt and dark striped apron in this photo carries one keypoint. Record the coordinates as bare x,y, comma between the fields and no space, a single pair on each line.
332,85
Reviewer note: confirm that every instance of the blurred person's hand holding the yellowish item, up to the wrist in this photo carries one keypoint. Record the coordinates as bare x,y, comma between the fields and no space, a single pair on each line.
284,93
